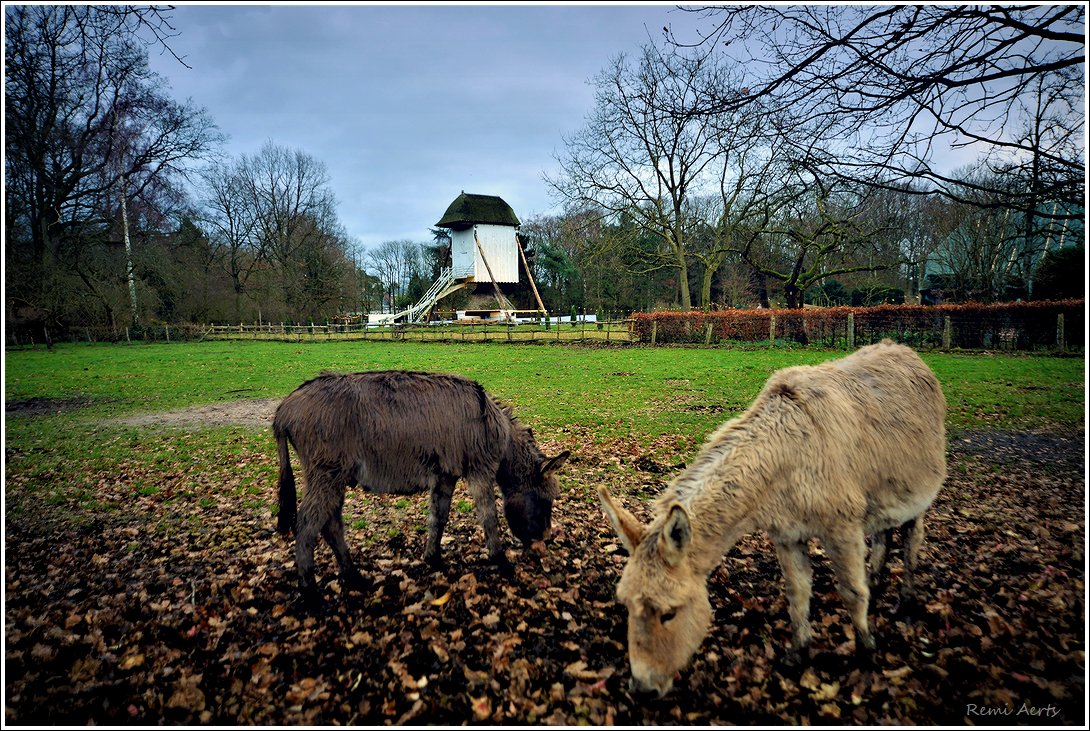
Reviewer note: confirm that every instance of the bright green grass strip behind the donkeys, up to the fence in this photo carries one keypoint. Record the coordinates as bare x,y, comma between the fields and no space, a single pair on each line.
639,392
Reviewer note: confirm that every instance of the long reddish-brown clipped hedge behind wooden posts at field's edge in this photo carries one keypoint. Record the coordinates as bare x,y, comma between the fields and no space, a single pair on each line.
1009,326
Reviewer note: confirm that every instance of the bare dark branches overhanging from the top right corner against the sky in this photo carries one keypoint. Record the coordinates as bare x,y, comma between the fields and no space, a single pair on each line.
905,83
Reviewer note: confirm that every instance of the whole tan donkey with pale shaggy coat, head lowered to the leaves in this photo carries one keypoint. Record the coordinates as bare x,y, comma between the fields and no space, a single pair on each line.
838,452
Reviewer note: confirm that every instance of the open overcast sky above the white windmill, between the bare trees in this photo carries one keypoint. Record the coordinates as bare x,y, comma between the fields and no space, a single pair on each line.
409,105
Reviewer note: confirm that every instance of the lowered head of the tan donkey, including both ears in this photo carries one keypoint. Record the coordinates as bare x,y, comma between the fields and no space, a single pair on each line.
669,612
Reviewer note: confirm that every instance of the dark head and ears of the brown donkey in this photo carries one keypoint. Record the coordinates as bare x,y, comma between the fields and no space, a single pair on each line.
529,484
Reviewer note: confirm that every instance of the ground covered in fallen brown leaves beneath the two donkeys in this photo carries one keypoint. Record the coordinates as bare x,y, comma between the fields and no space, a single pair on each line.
184,610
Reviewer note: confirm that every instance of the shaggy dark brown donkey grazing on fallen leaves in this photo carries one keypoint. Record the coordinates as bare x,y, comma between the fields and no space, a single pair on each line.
404,433
